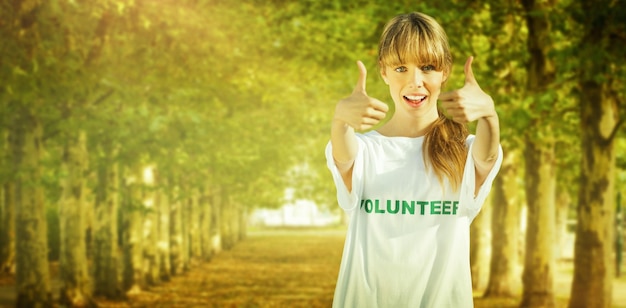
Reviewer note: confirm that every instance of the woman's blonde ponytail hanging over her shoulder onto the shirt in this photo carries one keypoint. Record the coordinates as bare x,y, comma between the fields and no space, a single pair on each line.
444,148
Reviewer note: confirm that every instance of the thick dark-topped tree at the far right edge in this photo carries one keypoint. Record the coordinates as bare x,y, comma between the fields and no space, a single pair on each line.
601,59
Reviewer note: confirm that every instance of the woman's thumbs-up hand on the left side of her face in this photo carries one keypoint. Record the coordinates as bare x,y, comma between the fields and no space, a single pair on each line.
358,110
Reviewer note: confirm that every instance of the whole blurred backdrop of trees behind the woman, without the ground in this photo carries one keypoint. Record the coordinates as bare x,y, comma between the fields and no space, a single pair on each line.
141,136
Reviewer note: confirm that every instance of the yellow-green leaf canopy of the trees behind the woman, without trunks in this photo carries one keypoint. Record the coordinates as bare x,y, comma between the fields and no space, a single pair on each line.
241,95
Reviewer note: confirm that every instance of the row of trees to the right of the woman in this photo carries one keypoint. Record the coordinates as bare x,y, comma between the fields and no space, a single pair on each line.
570,94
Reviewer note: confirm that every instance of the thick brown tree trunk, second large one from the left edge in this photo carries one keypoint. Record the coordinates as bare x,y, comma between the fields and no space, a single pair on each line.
76,288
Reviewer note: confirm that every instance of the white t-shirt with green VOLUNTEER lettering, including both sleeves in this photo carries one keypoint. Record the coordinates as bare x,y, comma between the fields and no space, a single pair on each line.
408,239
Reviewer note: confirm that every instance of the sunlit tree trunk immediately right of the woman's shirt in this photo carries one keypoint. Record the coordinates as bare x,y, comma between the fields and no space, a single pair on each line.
479,247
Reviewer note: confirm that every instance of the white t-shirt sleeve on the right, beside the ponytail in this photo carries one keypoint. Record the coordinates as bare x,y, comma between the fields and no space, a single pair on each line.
474,203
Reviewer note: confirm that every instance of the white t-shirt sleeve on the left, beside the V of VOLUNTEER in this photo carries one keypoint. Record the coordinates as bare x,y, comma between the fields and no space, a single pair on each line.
347,200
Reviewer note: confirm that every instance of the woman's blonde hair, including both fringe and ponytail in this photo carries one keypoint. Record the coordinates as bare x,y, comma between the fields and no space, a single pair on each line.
418,38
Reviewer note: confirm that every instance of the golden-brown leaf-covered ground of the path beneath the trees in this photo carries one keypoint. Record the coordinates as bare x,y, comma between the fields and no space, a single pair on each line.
277,268
